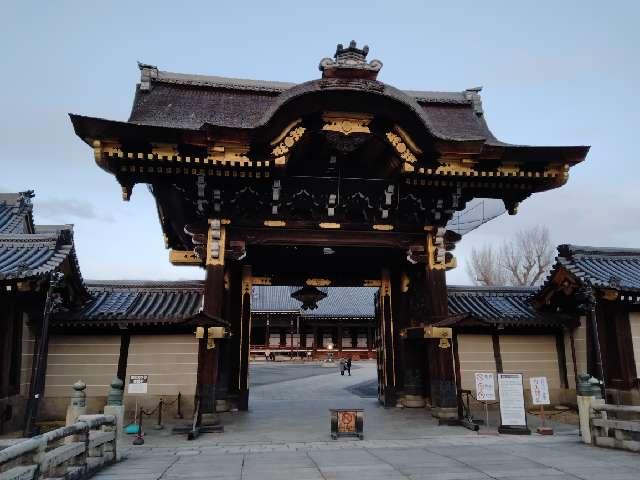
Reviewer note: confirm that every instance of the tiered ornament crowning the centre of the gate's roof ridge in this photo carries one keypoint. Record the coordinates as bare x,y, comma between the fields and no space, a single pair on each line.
350,62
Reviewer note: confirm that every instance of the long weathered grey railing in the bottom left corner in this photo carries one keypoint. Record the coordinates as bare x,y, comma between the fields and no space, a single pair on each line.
72,452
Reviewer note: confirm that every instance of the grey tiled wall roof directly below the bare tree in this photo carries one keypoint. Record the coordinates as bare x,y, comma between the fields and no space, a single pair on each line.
506,306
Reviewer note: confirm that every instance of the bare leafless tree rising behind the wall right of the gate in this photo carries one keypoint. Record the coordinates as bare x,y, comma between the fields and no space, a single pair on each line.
521,260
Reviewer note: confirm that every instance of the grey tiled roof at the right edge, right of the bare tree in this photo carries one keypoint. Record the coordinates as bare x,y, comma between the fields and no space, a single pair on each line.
614,268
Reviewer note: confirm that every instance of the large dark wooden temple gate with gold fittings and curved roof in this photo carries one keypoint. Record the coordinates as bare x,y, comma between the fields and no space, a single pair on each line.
343,180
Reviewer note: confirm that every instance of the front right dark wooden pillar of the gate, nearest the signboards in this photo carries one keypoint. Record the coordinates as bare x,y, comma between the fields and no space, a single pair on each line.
442,386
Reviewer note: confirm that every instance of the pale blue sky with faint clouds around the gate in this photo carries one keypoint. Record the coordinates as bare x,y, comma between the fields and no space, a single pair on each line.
553,72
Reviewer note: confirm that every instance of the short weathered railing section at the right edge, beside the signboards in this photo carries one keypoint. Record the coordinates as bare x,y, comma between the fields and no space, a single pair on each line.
616,426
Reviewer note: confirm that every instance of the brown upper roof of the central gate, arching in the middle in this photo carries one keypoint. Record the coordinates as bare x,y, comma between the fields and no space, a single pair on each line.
178,100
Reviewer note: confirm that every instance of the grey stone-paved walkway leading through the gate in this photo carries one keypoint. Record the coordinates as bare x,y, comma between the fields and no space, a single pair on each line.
285,436
